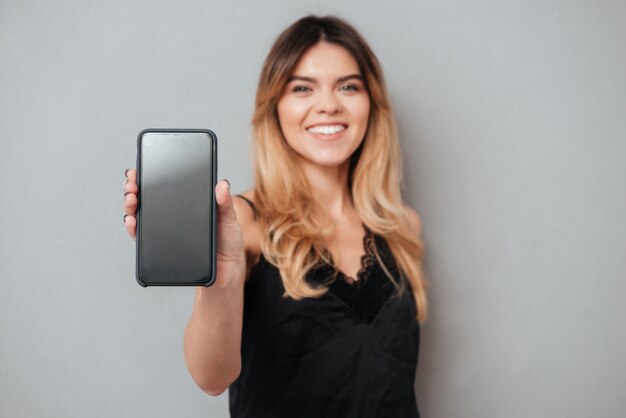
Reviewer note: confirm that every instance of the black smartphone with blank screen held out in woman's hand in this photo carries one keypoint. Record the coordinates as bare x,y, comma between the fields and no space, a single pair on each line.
176,210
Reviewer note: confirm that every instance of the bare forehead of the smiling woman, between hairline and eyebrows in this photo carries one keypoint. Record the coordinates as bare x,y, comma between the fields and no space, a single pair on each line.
326,60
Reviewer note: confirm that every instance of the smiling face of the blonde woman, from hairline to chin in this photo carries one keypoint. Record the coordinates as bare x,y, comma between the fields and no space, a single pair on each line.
323,111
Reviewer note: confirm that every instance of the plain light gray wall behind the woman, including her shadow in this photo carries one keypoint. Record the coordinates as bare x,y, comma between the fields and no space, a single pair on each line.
512,116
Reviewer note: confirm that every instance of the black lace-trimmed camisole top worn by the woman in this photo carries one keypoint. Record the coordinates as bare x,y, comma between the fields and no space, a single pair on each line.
351,353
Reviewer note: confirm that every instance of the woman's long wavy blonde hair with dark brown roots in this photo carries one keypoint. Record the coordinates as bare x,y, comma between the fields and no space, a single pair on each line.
291,238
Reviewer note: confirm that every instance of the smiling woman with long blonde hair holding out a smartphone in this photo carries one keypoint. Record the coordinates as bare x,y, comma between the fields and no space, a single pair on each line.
322,250
